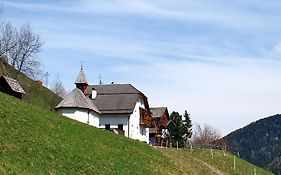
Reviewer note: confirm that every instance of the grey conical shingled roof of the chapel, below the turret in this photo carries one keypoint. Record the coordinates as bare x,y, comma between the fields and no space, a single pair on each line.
76,99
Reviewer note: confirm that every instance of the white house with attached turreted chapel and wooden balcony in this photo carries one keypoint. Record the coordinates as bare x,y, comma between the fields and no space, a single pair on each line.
117,107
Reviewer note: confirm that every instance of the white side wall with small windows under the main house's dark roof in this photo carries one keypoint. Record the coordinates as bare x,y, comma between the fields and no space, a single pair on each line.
114,121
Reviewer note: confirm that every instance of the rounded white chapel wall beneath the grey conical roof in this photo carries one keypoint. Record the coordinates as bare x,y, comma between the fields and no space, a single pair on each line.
81,115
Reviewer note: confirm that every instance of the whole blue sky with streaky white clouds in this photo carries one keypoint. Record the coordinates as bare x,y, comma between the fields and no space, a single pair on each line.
219,60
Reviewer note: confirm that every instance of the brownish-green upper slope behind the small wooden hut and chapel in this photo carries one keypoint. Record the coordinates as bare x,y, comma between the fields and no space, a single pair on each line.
35,94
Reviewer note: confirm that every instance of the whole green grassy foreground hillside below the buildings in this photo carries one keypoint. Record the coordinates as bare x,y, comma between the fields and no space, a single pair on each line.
34,140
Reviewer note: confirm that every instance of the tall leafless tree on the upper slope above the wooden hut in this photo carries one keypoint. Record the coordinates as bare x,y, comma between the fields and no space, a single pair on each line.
21,48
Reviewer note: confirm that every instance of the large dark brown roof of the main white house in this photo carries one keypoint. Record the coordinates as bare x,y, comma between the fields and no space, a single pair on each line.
117,98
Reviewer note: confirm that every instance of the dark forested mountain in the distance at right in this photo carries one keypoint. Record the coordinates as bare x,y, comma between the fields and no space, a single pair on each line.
259,143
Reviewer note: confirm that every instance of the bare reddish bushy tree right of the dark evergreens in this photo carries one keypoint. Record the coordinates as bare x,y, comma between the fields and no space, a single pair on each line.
205,135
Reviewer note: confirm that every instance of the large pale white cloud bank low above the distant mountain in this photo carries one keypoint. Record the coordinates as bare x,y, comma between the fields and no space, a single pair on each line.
225,96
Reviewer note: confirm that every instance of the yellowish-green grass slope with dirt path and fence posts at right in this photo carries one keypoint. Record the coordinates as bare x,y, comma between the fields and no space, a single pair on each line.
200,161
